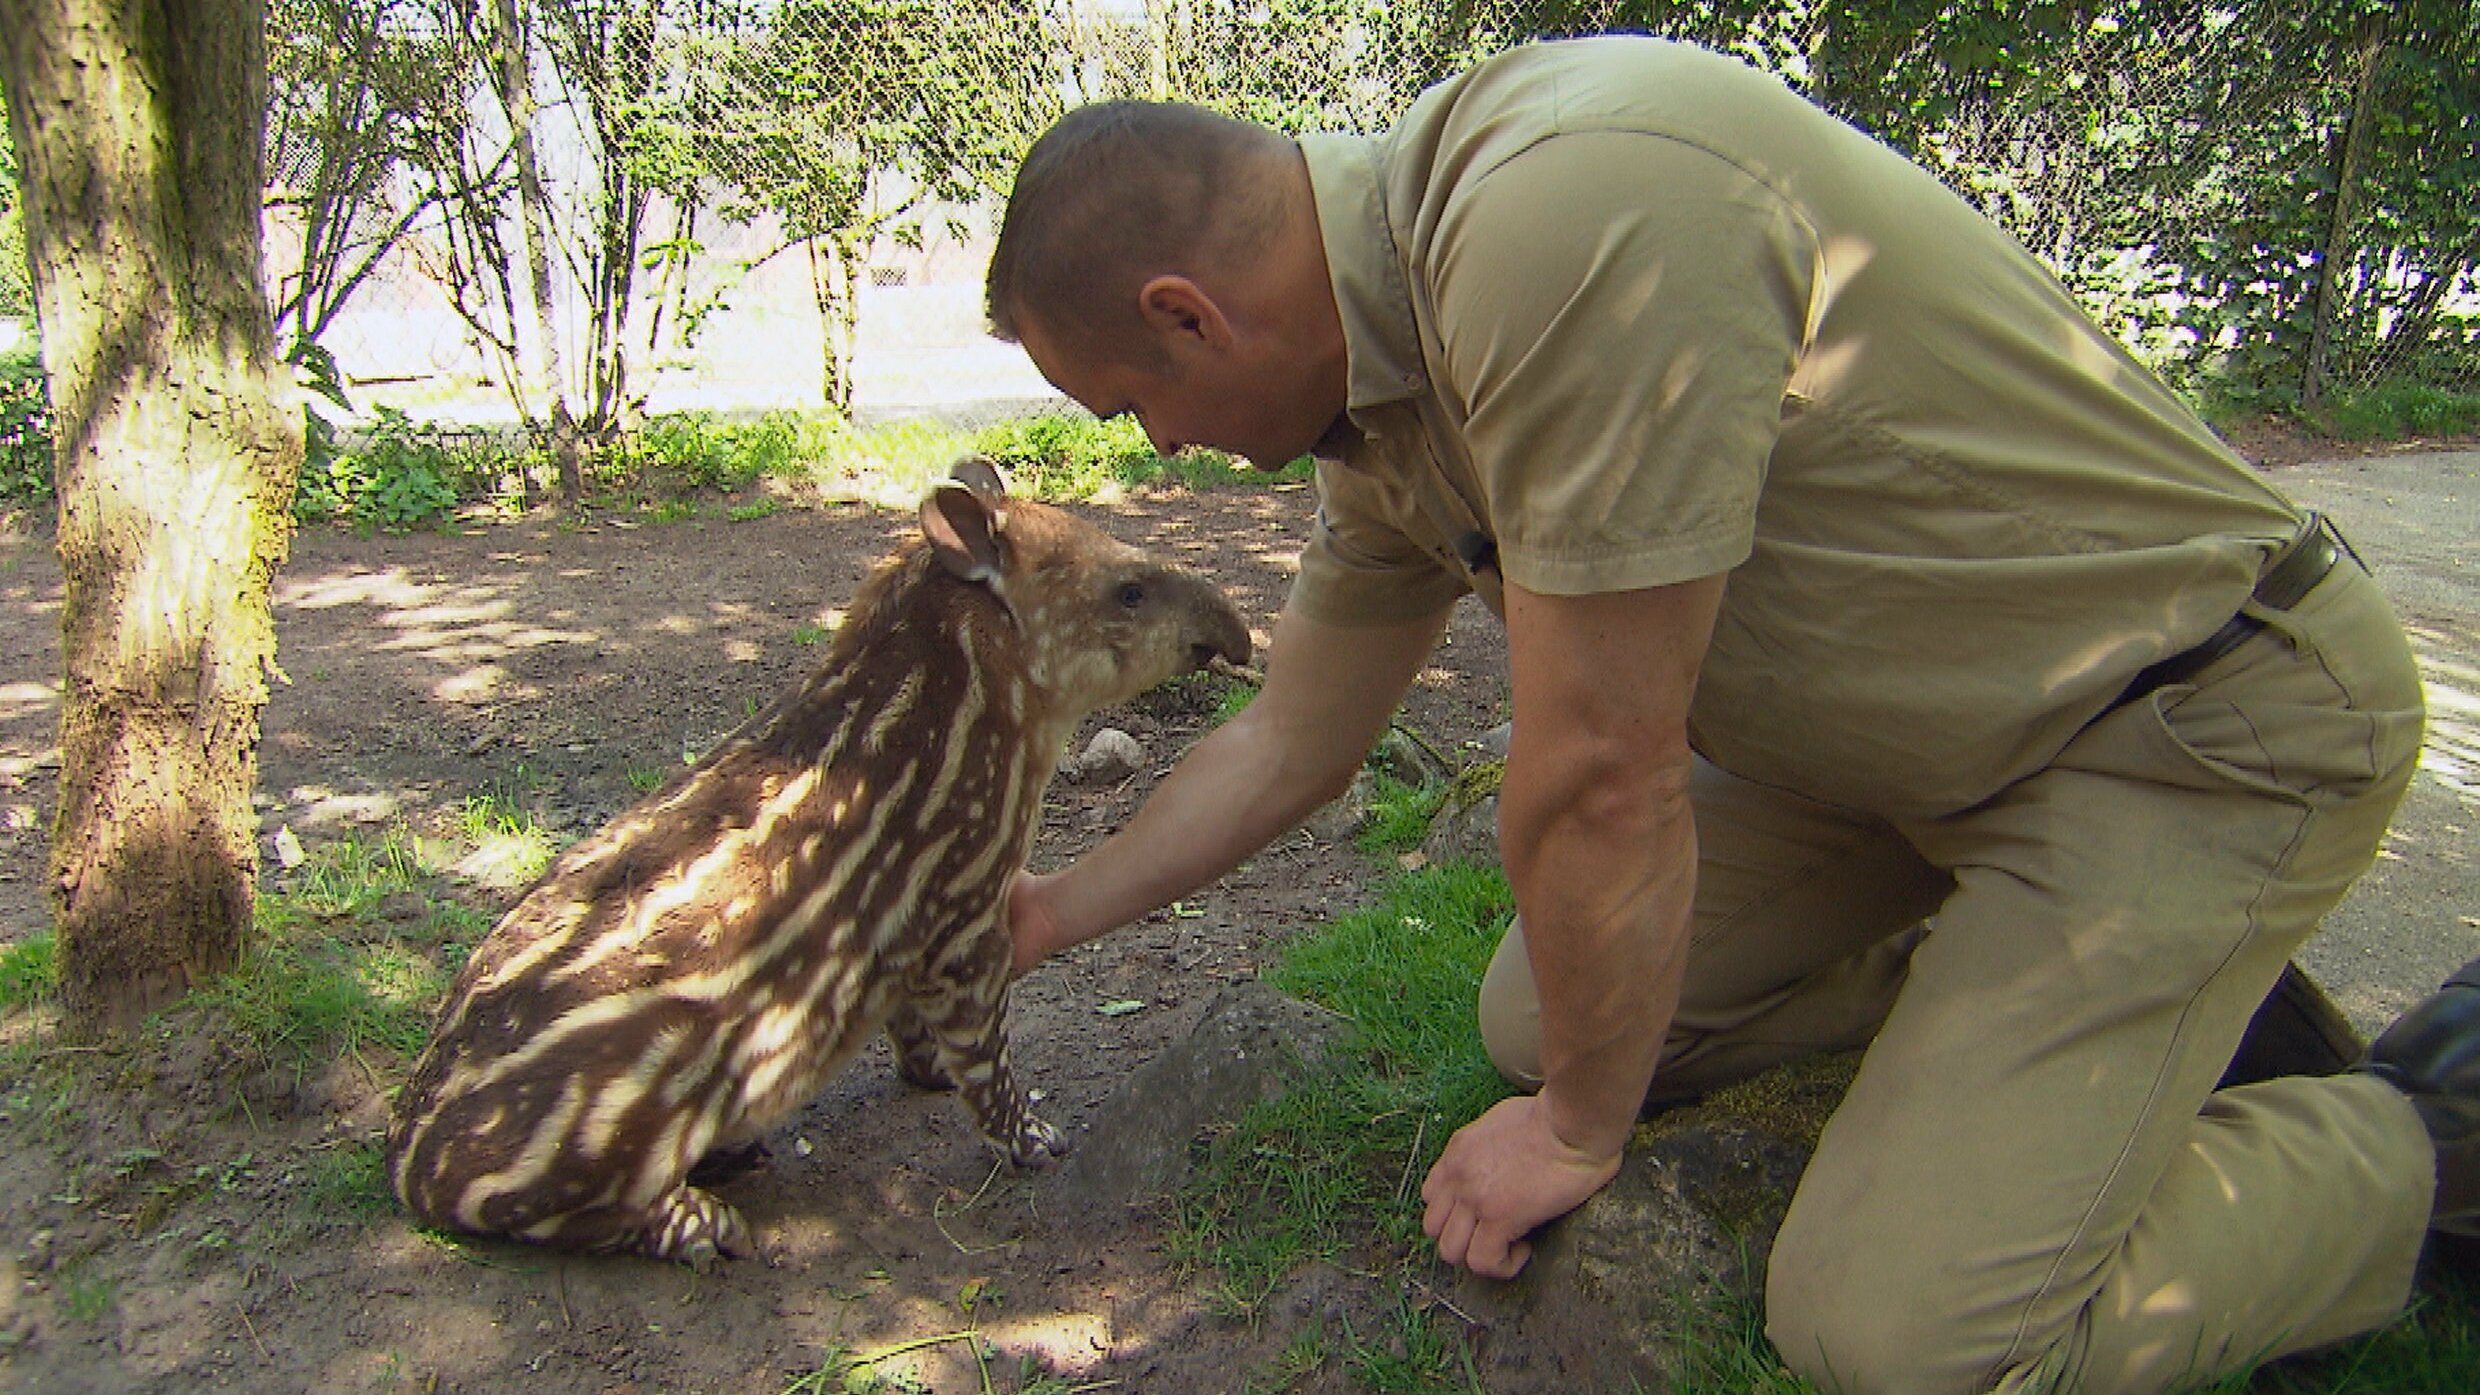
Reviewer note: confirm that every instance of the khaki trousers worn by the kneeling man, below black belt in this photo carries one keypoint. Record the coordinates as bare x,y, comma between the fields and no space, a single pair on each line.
2035,1183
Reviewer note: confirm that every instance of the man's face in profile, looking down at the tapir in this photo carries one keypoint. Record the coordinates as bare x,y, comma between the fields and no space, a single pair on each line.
1189,396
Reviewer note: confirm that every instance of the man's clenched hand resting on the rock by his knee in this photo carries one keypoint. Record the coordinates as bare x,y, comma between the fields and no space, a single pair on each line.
1499,1178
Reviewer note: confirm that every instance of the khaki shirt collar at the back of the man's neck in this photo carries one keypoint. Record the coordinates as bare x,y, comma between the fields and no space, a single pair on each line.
1383,349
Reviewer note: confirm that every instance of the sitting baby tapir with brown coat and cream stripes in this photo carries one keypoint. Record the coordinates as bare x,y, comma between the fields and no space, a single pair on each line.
691,974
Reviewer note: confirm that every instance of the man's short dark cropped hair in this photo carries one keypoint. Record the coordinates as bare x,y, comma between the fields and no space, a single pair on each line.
1117,195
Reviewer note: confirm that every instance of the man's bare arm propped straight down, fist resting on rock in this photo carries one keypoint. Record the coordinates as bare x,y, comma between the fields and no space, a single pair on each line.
1601,850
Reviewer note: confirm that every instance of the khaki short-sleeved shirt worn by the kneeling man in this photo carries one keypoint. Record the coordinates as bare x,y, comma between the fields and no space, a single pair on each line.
1628,314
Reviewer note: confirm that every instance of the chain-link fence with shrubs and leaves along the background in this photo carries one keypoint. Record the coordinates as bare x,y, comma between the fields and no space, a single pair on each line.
775,205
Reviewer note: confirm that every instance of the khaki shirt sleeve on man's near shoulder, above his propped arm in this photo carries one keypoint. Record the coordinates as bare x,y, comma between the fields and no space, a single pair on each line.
1621,316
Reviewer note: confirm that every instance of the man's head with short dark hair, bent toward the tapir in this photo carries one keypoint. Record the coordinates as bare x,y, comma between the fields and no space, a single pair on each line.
1164,262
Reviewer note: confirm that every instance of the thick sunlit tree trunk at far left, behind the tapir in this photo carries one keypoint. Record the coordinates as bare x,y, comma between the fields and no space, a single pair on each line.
140,138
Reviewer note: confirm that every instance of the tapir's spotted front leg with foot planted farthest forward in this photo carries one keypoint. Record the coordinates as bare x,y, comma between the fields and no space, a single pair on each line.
954,1034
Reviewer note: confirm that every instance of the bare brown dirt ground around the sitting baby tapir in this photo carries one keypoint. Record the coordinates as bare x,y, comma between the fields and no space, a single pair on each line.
155,1230
